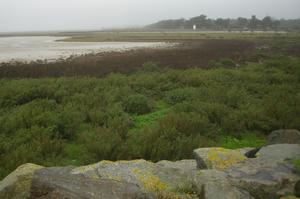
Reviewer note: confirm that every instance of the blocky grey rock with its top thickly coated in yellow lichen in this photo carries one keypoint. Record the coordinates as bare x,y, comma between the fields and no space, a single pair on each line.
218,158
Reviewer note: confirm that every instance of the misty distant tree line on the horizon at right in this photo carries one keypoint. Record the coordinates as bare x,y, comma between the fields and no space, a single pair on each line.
240,24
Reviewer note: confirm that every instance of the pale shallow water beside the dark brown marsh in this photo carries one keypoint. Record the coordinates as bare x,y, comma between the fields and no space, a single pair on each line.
48,48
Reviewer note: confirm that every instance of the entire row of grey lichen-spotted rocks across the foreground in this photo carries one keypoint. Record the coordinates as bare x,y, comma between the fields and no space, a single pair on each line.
216,173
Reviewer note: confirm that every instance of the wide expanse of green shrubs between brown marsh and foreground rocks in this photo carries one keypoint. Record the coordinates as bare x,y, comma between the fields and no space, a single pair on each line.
154,113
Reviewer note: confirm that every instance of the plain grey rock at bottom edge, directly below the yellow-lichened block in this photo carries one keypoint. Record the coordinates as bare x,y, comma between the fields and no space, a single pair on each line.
211,184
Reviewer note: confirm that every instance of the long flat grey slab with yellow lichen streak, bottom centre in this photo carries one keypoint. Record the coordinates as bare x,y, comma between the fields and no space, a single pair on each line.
151,177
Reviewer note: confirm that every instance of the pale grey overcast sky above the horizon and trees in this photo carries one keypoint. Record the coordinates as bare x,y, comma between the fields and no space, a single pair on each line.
47,15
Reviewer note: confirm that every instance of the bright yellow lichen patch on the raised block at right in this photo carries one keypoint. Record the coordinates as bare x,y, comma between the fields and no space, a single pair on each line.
221,158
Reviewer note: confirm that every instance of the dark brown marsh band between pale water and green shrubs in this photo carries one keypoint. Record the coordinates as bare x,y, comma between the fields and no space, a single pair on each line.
185,55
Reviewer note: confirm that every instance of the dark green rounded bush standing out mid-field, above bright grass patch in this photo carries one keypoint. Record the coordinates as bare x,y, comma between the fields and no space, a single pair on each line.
137,104
